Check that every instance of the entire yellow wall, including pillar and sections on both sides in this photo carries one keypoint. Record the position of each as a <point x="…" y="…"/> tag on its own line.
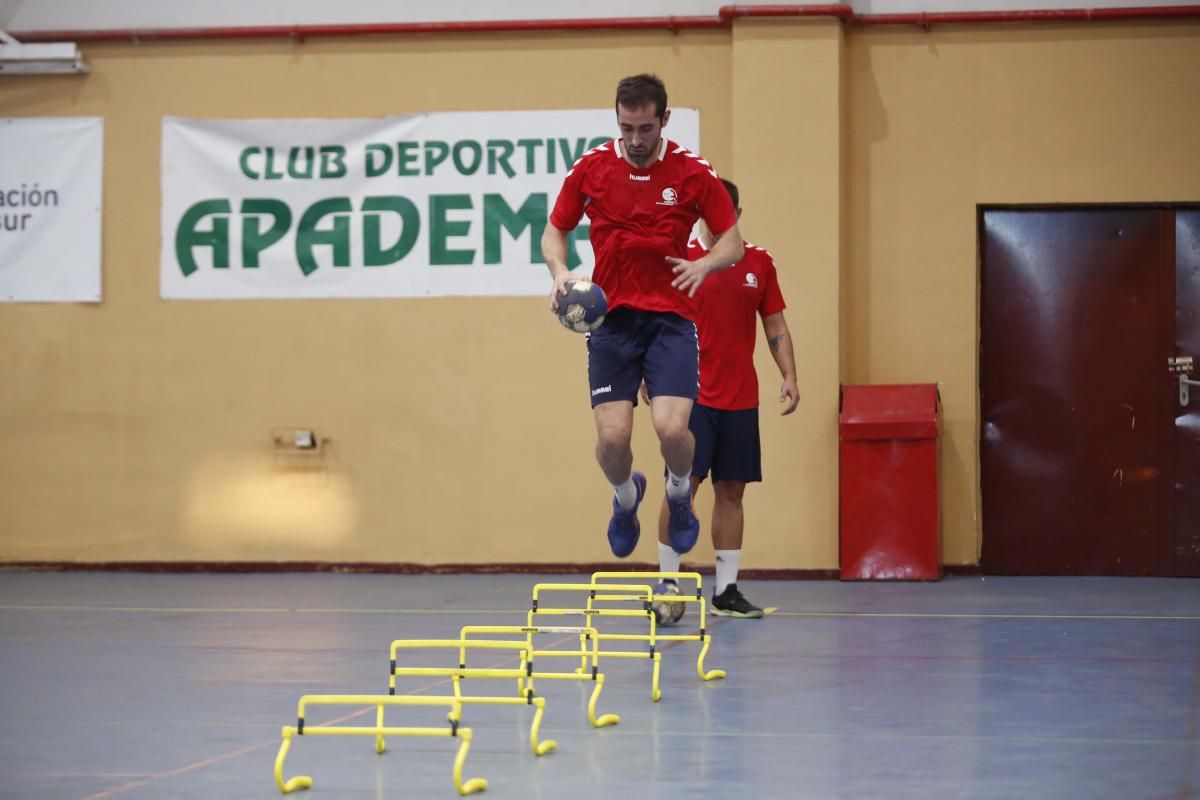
<point x="140" y="429"/>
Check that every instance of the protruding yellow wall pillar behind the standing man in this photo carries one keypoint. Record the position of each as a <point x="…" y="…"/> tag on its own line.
<point x="787" y="145"/>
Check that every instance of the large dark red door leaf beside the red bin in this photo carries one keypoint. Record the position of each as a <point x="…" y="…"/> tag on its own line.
<point x="1077" y="447"/>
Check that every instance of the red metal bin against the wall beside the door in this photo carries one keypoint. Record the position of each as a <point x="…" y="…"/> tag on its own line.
<point x="890" y="510"/>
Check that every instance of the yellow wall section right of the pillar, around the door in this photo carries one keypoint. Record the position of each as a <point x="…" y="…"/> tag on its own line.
<point x="943" y="122"/>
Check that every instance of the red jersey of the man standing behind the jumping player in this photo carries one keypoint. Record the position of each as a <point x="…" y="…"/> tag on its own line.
<point x="728" y="304"/>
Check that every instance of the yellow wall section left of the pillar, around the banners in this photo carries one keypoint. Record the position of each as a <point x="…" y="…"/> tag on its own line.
<point x="461" y="432"/>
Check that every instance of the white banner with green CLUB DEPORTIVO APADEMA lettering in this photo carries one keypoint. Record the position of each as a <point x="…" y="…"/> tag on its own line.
<point x="424" y="206"/>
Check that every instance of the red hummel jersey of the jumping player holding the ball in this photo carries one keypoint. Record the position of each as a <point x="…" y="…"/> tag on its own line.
<point x="641" y="216"/>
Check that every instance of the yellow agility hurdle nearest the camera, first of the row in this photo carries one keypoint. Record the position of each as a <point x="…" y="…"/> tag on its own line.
<point x="455" y="731"/>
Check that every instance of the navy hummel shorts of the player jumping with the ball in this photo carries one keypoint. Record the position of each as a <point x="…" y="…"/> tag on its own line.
<point x="657" y="346"/>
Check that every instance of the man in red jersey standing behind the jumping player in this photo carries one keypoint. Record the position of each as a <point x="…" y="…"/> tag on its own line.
<point x="725" y="419"/>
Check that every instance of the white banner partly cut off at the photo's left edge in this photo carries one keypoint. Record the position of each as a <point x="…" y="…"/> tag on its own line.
<point x="51" y="209"/>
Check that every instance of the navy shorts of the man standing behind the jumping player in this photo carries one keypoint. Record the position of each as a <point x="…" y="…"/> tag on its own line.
<point x="727" y="443"/>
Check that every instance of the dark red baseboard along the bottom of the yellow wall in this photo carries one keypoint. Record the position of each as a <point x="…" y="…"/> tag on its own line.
<point x="389" y="568"/>
